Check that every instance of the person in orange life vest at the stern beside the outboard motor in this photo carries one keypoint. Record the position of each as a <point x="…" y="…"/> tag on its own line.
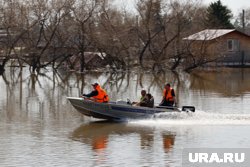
<point x="168" y="96"/>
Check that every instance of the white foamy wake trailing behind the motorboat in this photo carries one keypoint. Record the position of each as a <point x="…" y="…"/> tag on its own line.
<point x="197" y="118"/>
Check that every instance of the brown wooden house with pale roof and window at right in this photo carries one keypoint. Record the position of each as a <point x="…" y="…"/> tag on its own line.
<point x="228" y="47"/>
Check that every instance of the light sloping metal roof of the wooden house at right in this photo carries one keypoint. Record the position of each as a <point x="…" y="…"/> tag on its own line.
<point x="209" y="34"/>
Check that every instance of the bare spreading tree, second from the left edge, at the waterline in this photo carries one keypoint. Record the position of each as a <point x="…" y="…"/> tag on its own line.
<point x="42" y="38"/>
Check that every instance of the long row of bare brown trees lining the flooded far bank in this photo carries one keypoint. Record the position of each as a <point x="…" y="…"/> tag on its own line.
<point x="39" y="33"/>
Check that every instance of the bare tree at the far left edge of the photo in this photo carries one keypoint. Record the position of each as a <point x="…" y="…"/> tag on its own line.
<point x="10" y="13"/>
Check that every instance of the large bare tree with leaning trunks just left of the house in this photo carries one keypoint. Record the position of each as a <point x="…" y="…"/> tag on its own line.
<point x="162" y="27"/>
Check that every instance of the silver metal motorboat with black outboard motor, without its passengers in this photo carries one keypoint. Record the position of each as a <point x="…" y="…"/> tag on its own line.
<point x="120" y="110"/>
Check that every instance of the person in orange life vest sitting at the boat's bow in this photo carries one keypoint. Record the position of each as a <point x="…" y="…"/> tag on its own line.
<point x="98" y="94"/>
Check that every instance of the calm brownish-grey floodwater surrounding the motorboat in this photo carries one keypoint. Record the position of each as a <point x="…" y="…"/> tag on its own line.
<point x="39" y="127"/>
